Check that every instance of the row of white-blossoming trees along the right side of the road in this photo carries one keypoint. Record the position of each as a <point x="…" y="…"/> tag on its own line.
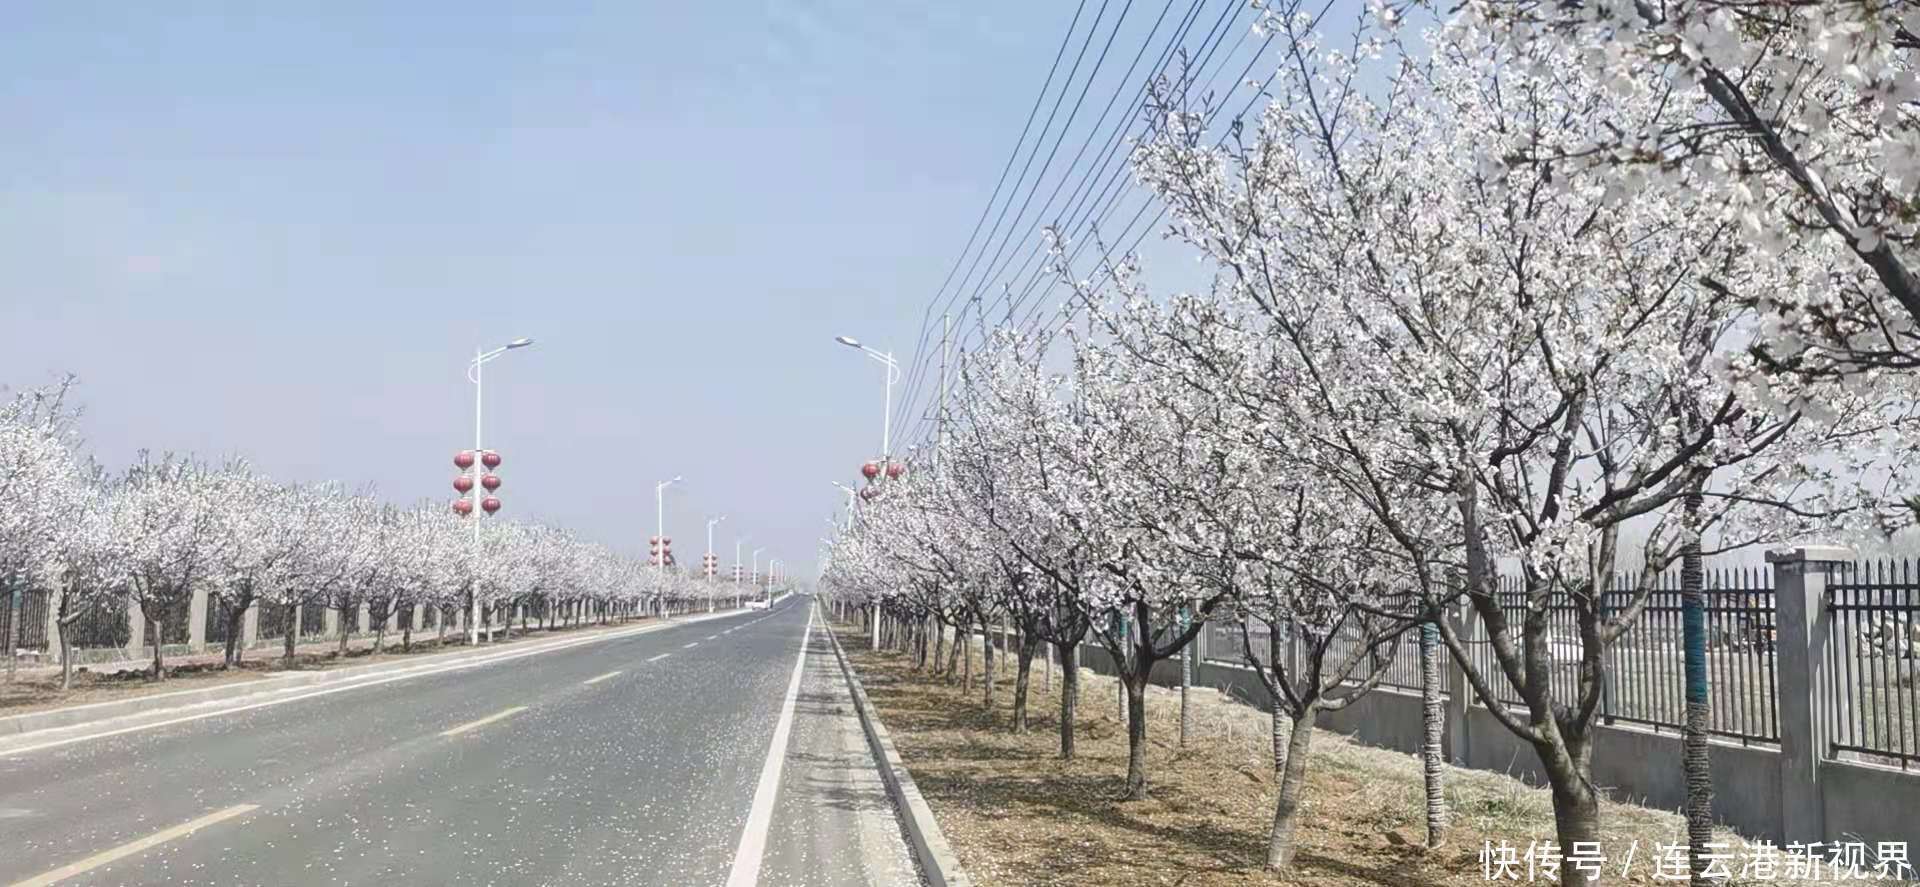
<point x="1548" y="291"/>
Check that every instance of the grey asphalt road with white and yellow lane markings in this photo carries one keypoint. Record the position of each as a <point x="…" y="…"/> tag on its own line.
<point x="631" y="761"/>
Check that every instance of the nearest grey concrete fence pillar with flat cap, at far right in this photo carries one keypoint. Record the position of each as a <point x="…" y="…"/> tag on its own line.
<point x="1800" y="658"/>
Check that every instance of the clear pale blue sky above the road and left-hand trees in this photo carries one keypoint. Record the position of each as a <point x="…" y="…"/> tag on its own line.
<point x="283" y="233"/>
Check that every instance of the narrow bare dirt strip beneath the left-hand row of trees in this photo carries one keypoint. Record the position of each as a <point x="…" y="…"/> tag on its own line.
<point x="39" y="690"/>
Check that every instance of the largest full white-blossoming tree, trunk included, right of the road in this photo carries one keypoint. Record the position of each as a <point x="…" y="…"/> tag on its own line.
<point x="1512" y="347"/>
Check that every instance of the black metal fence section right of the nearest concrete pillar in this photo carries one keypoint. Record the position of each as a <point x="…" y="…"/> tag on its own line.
<point x="1871" y="702"/>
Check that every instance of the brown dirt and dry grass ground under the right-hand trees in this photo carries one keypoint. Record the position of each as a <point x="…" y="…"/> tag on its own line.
<point x="1019" y="815"/>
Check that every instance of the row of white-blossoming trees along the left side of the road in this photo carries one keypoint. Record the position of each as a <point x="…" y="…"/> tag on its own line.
<point x="166" y="527"/>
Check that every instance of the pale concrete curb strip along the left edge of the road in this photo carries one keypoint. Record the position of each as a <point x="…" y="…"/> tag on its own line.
<point x="243" y="692"/>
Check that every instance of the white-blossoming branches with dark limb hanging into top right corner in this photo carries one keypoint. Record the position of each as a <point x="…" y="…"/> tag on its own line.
<point x="1798" y="118"/>
